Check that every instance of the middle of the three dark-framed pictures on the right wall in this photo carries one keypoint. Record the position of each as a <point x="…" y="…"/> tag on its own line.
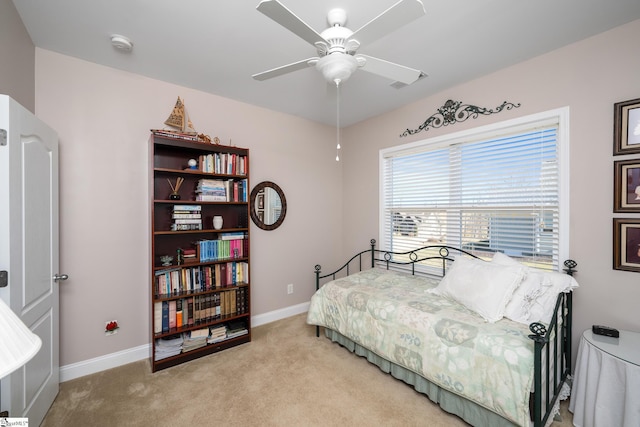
<point x="626" y="186"/>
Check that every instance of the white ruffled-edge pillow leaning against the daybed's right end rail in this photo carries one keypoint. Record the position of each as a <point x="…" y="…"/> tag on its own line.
<point x="535" y="299"/>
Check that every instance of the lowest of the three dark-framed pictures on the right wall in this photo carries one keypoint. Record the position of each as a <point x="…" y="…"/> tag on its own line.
<point x="626" y="244"/>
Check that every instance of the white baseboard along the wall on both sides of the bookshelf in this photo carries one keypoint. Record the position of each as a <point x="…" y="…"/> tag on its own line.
<point x="113" y="360"/>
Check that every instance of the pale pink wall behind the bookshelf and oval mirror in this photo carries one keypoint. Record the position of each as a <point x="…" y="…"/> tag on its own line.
<point x="103" y="117"/>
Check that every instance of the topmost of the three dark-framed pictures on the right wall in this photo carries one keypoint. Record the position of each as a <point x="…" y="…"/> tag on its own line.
<point x="626" y="127"/>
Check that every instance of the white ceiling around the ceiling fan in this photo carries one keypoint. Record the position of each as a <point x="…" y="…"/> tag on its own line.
<point x="216" y="45"/>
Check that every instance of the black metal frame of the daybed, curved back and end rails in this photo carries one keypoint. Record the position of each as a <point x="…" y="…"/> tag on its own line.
<point x="558" y="332"/>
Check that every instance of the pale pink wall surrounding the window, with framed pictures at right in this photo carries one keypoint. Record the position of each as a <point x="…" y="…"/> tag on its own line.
<point x="589" y="77"/>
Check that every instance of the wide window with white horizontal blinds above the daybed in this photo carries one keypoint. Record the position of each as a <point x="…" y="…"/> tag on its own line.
<point x="497" y="188"/>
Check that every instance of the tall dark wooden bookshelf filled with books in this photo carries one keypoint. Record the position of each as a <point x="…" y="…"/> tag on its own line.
<point x="199" y="281"/>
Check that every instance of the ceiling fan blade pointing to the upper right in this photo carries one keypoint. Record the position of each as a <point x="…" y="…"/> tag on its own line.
<point x="391" y="19"/>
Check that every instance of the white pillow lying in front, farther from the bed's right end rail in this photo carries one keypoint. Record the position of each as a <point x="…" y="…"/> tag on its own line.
<point x="481" y="286"/>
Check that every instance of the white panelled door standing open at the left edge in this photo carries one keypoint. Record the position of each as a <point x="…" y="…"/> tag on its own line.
<point x="29" y="253"/>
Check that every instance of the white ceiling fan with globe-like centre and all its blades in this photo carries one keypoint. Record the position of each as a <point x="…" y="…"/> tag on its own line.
<point x="337" y="45"/>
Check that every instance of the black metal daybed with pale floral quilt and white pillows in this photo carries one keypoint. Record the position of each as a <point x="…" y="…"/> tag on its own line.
<point x="456" y="327"/>
